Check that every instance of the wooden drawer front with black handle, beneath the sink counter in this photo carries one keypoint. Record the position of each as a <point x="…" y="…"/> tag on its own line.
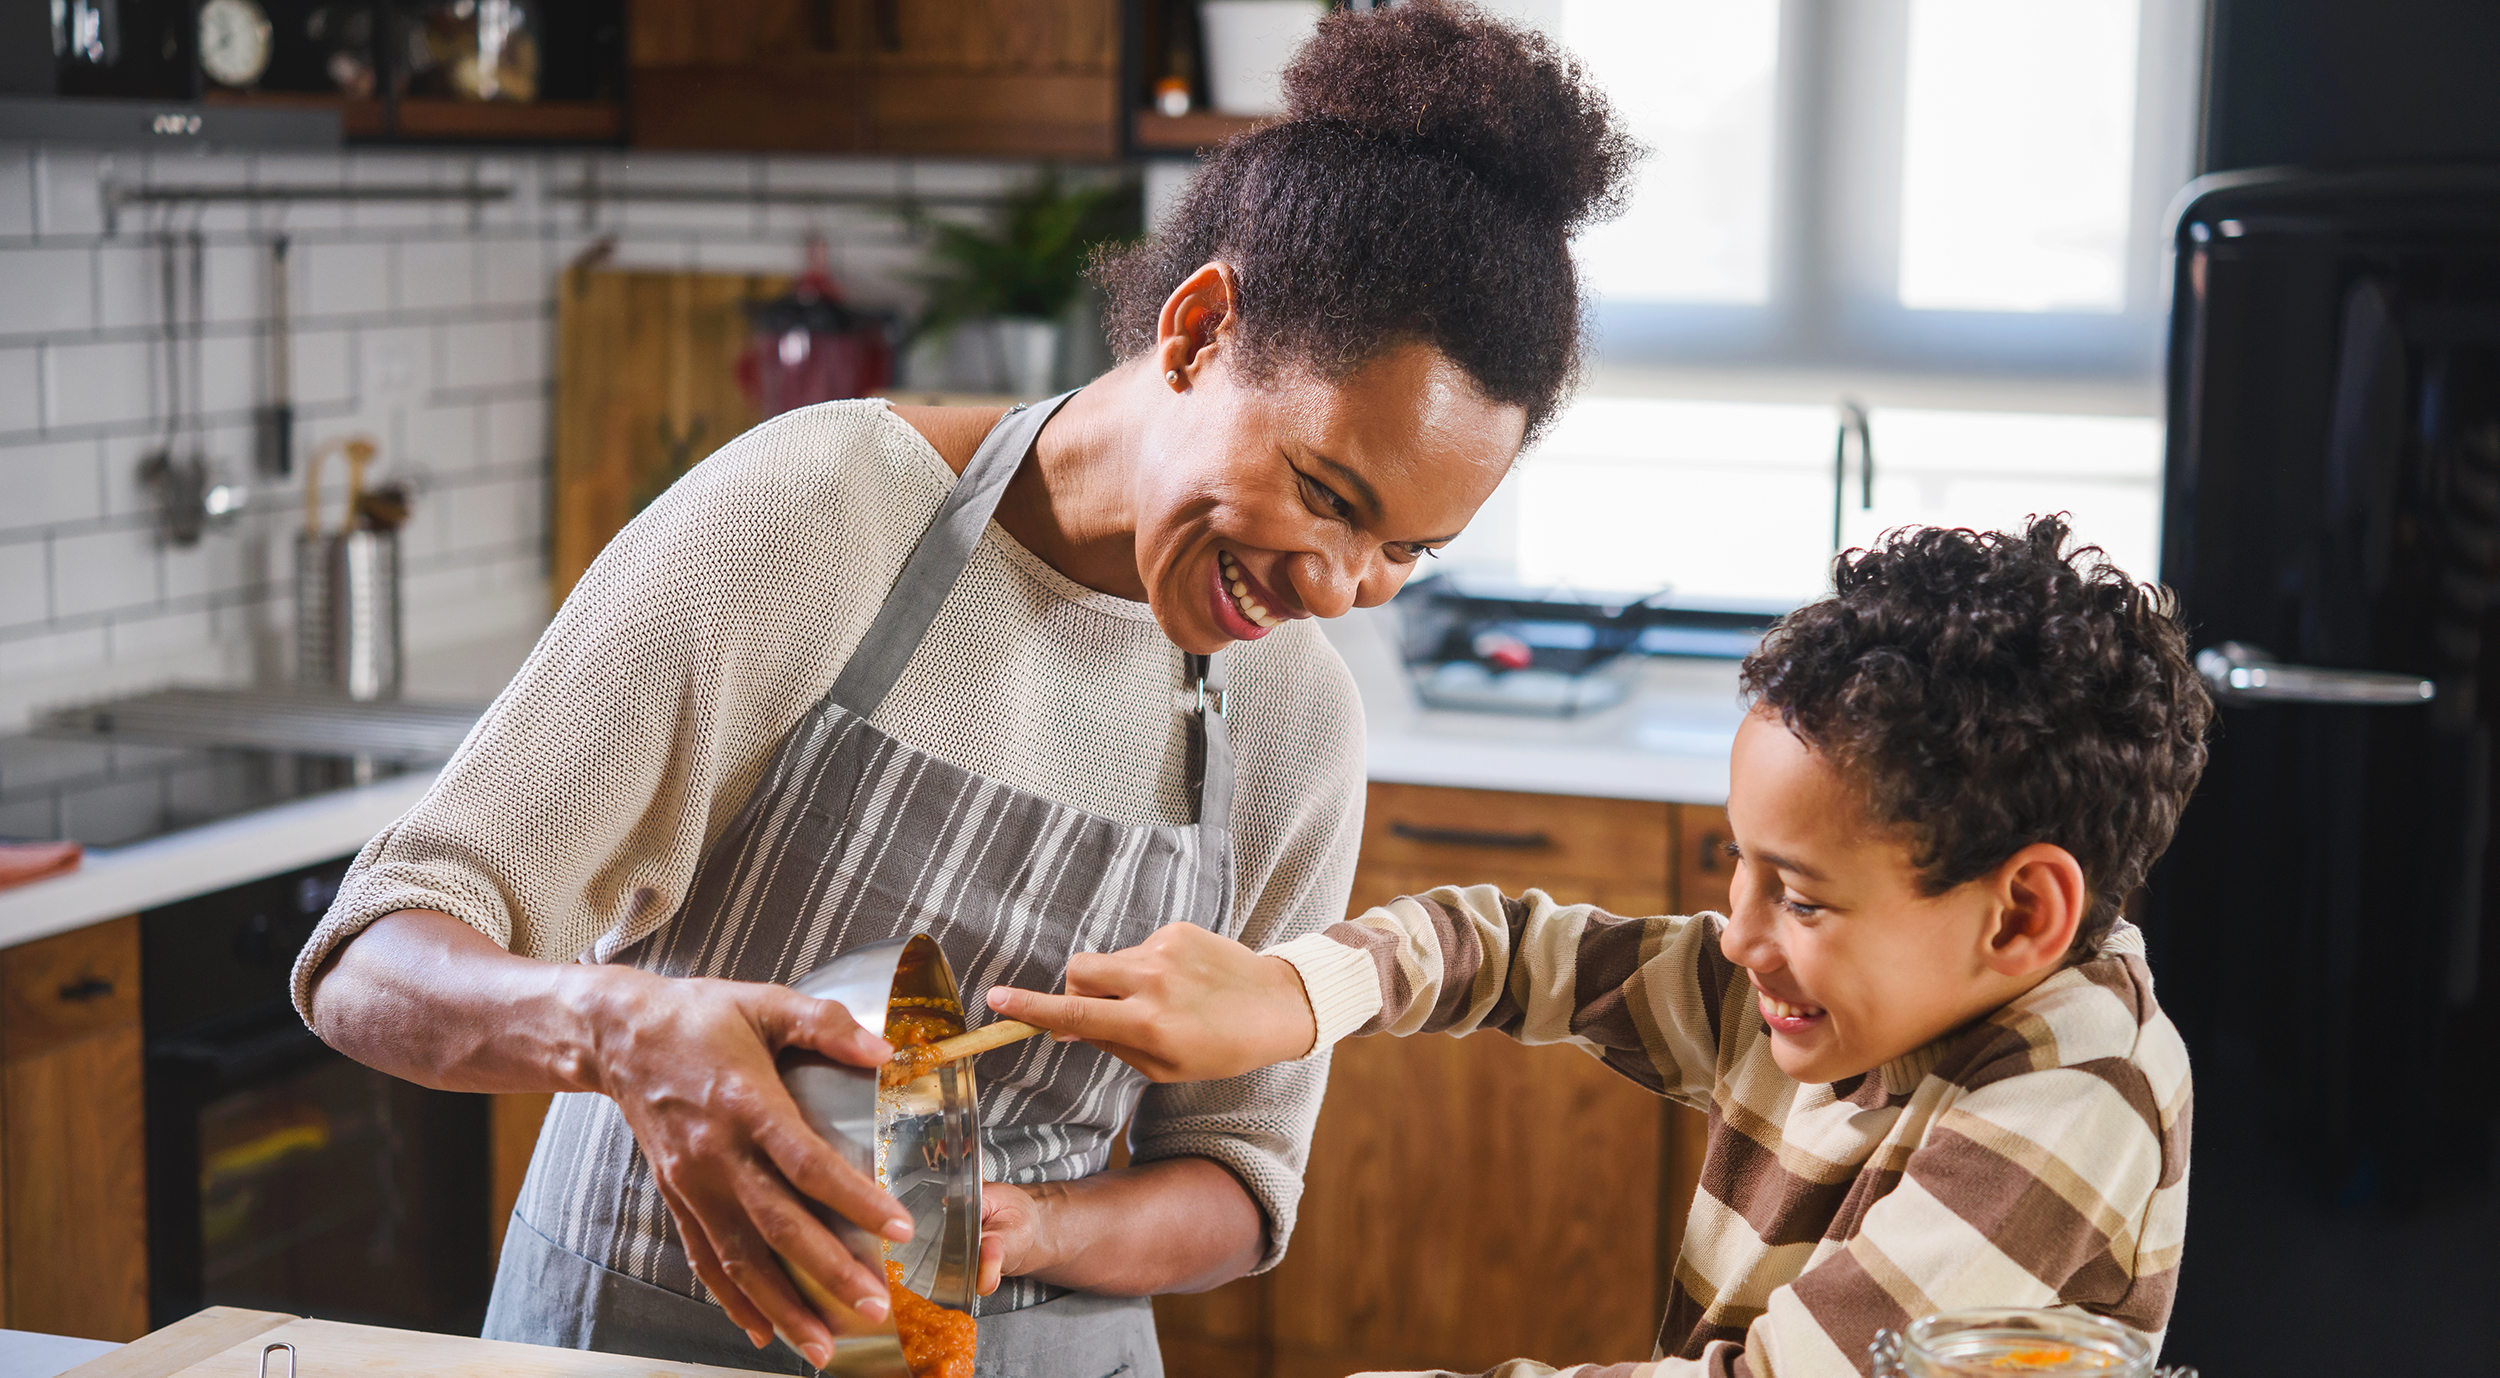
<point x="1466" y="837"/>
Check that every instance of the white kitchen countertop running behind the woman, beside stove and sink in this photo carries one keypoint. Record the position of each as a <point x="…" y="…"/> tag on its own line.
<point x="1669" y="742"/>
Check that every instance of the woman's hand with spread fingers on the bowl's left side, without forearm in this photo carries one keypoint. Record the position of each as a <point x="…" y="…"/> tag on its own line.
<point x="691" y="1064"/>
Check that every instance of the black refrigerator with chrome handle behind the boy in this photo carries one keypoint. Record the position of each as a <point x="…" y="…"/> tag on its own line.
<point x="2324" y="927"/>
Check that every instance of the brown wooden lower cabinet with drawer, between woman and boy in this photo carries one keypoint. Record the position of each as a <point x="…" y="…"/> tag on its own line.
<point x="1474" y="1199"/>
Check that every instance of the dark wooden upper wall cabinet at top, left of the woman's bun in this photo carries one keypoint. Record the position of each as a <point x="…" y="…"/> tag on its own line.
<point x="1001" y="79"/>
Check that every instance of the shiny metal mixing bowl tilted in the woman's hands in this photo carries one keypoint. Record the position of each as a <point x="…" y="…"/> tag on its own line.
<point x="931" y="1132"/>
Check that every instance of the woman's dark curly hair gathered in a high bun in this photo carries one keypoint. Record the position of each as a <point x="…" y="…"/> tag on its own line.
<point x="1421" y="189"/>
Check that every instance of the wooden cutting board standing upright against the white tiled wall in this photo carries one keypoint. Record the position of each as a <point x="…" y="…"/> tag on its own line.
<point x="646" y="384"/>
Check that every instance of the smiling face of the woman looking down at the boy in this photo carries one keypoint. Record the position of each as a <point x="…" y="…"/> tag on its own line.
<point x="1266" y="501"/>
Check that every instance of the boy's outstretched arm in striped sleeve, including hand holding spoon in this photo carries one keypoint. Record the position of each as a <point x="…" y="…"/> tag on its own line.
<point x="1641" y="994"/>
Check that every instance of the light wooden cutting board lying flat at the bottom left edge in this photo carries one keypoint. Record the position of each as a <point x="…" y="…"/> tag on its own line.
<point x="226" y="1344"/>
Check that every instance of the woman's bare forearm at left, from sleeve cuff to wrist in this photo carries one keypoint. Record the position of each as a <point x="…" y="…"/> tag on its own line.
<point x="434" y="1002"/>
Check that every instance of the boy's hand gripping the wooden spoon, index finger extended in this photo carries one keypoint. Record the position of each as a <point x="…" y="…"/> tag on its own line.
<point x="1181" y="1007"/>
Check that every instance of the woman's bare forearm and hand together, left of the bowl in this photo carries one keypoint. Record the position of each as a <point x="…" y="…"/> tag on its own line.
<point x="429" y="999"/>
